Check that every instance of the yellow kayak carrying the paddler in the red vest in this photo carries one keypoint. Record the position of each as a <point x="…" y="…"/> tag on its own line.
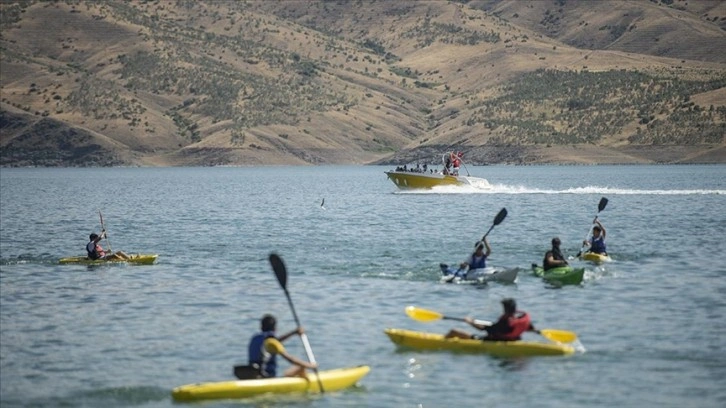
<point x="432" y="341"/>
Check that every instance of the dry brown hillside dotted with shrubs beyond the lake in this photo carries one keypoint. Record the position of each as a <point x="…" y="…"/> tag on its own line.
<point x="167" y="83"/>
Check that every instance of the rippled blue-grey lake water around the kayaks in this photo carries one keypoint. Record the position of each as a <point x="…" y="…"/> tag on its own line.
<point x="653" y="322"/>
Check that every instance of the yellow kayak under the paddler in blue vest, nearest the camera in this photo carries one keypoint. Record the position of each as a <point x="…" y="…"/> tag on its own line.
<point x="333" y="380"/>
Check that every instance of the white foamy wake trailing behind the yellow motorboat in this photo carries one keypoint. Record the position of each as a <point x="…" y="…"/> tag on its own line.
<point x="482" y="186"/>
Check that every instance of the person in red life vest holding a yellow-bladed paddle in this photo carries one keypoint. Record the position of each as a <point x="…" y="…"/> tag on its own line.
<point x="510" y="326"/>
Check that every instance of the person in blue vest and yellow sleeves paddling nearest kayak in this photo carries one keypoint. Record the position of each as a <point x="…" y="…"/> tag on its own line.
<point x="264" y="347"/>
